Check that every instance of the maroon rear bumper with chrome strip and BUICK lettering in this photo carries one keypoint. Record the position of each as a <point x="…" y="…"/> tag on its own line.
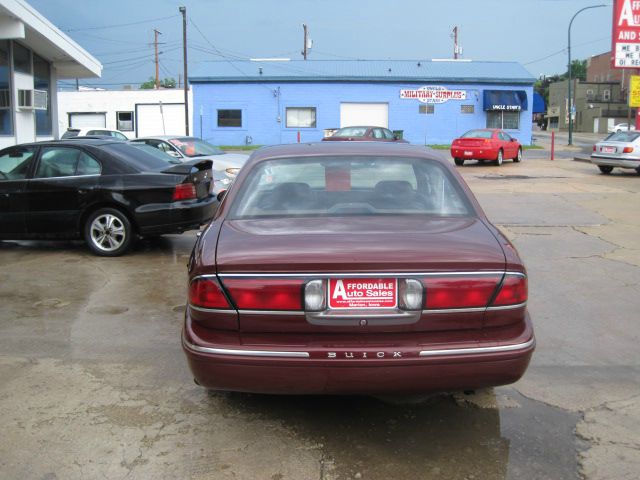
<point x="331" y="367"/>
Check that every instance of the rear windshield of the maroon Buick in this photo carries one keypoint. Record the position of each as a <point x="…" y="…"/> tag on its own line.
<point x="354" y="185"/>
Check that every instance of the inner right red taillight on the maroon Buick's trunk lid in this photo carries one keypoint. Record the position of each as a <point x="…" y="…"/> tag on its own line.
<point x="463" y="292"/>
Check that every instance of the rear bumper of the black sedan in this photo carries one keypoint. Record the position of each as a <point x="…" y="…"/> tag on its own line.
<point x="175" y="217"/>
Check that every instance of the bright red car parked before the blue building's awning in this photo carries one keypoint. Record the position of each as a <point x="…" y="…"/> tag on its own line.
<point x="485" y="144"/>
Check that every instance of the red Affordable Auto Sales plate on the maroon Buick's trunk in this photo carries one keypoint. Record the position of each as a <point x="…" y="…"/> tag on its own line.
<point x="363" y="293"/>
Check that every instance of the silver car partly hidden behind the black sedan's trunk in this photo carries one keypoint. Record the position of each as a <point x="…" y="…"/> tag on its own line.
<point x="187" y="148"/>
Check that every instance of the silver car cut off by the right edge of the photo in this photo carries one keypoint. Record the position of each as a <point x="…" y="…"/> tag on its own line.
<point x="621" y="149"/>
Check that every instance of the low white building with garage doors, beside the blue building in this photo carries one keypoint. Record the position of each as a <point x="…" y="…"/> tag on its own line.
<point x="136" y="113"/>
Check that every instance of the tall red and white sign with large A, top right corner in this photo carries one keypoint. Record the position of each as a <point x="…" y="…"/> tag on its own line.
<point x="626" y="34"/>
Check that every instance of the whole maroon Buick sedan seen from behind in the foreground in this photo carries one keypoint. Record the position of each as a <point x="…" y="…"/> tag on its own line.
<point x="354" y="268"/>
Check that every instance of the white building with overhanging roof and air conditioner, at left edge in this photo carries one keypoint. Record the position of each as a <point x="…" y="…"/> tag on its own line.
<point x="34" y="54"/>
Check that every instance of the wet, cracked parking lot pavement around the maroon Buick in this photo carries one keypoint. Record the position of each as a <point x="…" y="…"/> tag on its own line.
<point x="93" y="382"/>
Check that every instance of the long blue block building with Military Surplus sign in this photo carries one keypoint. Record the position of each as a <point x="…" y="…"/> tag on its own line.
<point x="272" y="101"/>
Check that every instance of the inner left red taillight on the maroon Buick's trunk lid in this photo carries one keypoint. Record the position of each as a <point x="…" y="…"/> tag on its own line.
<point x="265" y="294"/>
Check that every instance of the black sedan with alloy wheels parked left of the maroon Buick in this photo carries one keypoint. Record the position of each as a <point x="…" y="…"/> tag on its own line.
<point x="104" y="191"/>
